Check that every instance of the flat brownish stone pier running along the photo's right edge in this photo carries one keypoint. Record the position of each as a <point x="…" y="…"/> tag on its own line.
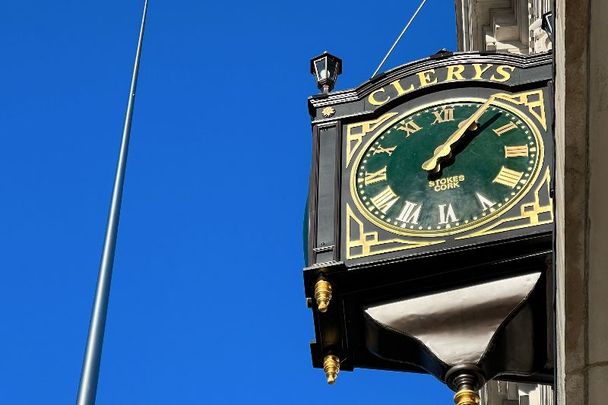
<point x="581" y="129"/>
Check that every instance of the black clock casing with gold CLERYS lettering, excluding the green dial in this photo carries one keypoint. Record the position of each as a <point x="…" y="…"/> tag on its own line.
<point x="368" y="262"/>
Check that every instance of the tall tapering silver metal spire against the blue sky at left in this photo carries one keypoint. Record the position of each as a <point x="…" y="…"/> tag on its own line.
<point x="90" y="369"/>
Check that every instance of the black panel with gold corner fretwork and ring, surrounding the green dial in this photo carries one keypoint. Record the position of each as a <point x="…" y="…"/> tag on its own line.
<point x="366" y="237"/>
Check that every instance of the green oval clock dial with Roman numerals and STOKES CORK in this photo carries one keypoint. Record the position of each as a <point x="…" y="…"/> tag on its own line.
<point x="489" y="168"/>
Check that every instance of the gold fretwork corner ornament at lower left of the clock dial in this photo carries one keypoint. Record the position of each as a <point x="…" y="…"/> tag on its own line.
<point x="364" y="244"/>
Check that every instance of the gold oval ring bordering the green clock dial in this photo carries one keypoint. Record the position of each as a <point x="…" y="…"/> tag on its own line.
<point x="539" y="164"/>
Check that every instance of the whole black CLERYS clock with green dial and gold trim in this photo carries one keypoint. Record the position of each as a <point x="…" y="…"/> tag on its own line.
<point x="429" y="180"/>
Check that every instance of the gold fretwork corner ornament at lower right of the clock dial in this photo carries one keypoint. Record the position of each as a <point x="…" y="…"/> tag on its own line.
<point x="537" y="212"/>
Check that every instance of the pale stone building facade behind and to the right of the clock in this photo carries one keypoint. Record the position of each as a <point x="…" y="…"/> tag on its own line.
<point x="581" y="197"/>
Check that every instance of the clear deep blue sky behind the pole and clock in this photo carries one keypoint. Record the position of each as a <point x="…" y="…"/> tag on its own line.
<point x="207" y="302"/>
